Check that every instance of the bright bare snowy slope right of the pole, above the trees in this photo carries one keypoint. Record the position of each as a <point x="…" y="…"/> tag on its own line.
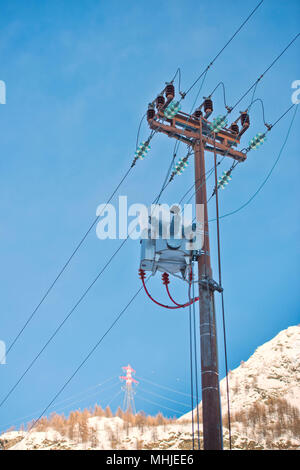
<point x="273" y="371"/>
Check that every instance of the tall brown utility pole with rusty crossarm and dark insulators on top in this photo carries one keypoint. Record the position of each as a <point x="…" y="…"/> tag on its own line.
<point x="195" y="131"/>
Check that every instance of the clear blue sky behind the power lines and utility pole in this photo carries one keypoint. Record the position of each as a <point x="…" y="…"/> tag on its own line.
<point x="79" y="76"/>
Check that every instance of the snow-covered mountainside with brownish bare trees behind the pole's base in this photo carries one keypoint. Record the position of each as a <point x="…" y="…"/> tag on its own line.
<point x="264" y="403"/>
